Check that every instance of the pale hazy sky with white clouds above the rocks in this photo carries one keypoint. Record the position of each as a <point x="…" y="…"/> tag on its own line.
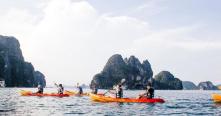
<point x="71" y="40"/>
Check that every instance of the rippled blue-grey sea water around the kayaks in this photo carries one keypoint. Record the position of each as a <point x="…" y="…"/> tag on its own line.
<point x="177" y="103"/>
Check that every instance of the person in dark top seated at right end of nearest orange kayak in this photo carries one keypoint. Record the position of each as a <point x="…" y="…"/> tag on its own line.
<point x="149" y="92"/>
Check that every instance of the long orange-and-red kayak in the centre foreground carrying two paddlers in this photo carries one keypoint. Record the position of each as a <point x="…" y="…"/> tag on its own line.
<point x="102" y="98"/>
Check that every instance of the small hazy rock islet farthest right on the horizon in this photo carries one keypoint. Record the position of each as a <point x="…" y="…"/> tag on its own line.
<point x="207" y="86"/>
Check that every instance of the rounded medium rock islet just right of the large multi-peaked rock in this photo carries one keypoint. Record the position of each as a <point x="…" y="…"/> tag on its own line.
<point x="166" y="81"/>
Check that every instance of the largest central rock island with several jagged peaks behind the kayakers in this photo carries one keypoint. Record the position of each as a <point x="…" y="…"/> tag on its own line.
<point x="136" y="74"/>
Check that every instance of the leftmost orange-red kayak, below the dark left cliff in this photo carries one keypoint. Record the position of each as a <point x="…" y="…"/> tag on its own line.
<point x="29" y="93"/>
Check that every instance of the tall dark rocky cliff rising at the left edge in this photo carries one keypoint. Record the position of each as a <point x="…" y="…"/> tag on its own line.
<point x="13" y="69"/>
